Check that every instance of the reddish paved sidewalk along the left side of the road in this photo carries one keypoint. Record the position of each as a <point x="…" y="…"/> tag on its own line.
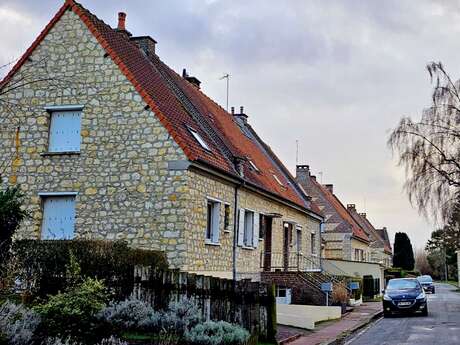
<point x="352" y="321"/>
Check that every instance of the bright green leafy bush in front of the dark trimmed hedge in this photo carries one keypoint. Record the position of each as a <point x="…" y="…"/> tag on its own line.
<point x="73" y="314"/>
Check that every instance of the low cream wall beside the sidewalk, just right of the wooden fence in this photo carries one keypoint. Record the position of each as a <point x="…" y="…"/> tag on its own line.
<point x="305" y="316"/>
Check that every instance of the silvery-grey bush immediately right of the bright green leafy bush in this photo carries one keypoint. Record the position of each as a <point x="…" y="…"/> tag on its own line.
<point x="131" y="315"/>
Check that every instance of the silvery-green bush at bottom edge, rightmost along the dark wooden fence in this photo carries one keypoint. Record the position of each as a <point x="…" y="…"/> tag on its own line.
<point x="217" y="333"/>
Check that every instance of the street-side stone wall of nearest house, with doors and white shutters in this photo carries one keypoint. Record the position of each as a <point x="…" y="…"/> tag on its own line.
<point x="216" y="259"/>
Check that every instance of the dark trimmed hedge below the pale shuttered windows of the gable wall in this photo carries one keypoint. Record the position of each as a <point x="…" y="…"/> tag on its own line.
<point x="44" y="265"/>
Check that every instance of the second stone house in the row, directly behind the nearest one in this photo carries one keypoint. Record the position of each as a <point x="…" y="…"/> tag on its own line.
<point x="343" y="237"/>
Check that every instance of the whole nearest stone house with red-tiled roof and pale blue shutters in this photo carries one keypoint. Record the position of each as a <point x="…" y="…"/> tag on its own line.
<point x="108" y="142"/>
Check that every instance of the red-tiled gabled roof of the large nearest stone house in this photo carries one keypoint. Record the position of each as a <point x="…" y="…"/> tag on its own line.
<point x="180" y="107"/>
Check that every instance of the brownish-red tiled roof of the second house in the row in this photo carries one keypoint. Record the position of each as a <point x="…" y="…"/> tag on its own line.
<point x="333" y="209"/>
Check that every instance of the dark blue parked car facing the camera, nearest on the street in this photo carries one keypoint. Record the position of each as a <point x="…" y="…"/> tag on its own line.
<point x="404" y="295"/>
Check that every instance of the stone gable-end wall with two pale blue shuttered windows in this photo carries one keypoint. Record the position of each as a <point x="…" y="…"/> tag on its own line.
<point x="121" y="177"/>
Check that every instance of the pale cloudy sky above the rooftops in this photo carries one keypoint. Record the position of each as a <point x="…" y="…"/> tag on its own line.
<point x="334" y="75"/>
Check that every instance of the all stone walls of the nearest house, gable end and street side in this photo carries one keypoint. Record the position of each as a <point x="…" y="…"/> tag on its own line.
<point x="130" y="178"/>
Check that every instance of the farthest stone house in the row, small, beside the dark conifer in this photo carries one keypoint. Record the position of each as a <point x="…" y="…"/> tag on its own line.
<point x="380" y="247"/>
